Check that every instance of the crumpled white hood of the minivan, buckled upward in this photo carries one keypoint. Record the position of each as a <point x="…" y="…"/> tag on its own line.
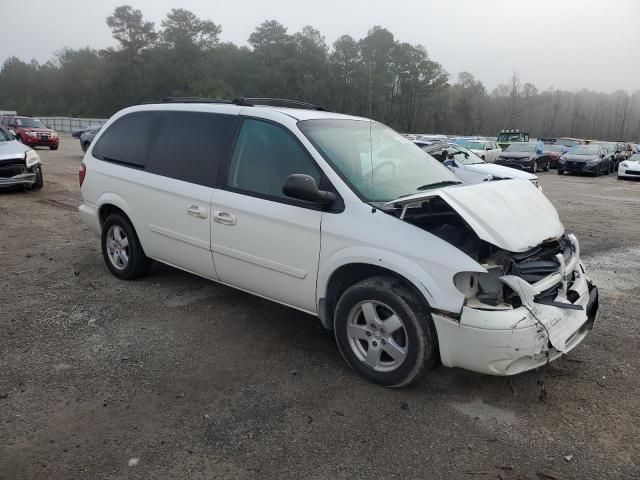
<point x="511" y="214"/>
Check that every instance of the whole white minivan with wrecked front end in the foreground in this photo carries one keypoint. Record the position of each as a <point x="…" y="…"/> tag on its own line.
<point x="342" y="218"/>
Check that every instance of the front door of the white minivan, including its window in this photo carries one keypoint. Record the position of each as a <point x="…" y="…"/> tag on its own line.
<point x="263" y="241"/>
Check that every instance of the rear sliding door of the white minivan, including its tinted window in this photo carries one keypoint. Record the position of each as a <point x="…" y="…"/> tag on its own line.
<point x="183" y="162"/>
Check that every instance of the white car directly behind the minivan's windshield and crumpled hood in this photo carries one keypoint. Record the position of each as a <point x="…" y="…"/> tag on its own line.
<point x="469" y="167"/>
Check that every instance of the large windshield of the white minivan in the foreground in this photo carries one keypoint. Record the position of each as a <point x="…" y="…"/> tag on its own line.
<point x="377" y="162"/>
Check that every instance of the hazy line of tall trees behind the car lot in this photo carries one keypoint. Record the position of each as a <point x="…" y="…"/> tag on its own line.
<point x="377" y="76"/>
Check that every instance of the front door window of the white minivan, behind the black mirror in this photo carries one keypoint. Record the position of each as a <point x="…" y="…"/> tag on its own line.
<point x="264" y="156"/>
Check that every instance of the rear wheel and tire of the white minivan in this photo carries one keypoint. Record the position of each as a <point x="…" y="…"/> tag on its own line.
<point x="130" y="262"/>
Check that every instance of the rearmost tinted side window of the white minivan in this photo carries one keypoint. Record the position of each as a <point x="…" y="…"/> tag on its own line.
<point x="126" y="141"/>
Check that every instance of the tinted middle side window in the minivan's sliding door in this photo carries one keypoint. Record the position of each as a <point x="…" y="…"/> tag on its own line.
<point x="189" y="146"/>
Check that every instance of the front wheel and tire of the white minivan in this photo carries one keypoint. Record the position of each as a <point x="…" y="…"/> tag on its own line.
<point x="413" y="343"/>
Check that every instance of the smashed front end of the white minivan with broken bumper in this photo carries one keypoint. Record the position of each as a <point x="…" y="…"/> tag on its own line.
<point x="529" y="306"/>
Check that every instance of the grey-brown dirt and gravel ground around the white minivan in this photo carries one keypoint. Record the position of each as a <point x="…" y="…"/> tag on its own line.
<point x="176" y="377"/>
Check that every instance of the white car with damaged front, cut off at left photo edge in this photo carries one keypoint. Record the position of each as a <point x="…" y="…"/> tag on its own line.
<point x="19" y="165"/>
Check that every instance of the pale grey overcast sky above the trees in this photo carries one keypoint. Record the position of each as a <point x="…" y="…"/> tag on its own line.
<point x="568" y="44"/>
